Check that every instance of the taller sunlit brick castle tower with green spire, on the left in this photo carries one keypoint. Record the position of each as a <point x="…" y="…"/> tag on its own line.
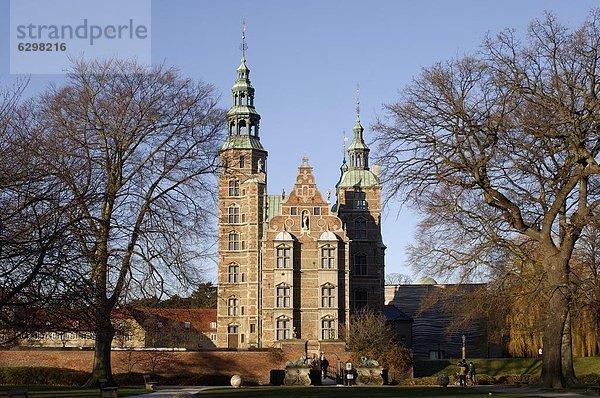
<point x="242" y="189"/>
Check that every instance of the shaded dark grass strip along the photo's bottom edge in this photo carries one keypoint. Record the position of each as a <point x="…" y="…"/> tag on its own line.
<point x="346" y="392"/>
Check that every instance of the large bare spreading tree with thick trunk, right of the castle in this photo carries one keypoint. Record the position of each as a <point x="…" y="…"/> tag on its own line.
<point x="505" y="143"/>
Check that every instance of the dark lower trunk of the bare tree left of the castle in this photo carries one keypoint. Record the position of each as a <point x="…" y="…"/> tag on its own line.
<point x="105" y="332"/>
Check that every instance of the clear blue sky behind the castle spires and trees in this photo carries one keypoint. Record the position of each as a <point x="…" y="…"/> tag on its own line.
<point x="306" y="58"/>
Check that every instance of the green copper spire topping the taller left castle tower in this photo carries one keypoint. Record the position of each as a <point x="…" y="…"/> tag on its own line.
<point x="242" y="118"/>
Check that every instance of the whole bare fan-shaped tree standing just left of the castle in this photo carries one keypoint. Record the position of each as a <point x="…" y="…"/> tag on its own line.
<point x="133" y="150"/>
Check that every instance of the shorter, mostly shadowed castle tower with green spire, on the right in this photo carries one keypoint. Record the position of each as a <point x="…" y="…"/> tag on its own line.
<point x="359" y="206"/>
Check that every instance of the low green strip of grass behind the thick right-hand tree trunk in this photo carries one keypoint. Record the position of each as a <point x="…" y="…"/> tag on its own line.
<point x="502" y="366"/>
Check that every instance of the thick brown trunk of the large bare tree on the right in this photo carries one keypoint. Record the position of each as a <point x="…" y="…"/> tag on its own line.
<point x="557" y="310"/>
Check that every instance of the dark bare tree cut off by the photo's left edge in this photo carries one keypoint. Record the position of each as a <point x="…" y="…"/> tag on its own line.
<point x="34" y="245"/>
